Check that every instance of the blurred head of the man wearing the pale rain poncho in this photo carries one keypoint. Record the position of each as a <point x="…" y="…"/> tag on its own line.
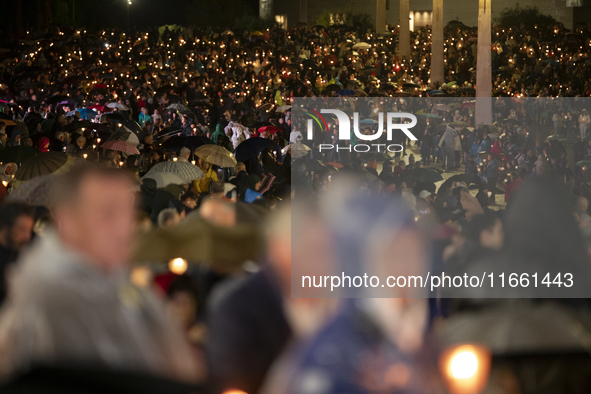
<point x="94" y="212"/>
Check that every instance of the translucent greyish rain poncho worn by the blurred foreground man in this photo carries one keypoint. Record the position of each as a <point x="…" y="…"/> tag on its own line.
<point x="63" y="309"/>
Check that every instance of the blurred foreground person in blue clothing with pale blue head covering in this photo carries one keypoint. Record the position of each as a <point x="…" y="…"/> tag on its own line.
<point x="372" y="344"/>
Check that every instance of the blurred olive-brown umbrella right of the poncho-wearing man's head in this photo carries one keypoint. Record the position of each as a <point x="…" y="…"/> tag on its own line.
<point x="196" y="240"/>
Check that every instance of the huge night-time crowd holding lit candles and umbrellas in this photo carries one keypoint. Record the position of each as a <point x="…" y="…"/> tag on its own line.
<point x="190" y="143"/>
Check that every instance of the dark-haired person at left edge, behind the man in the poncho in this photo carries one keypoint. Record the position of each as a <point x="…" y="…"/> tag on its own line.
<point x="16" y="228"/>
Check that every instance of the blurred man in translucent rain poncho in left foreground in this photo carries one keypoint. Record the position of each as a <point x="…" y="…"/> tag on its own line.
<point x="70" y="301"/>
